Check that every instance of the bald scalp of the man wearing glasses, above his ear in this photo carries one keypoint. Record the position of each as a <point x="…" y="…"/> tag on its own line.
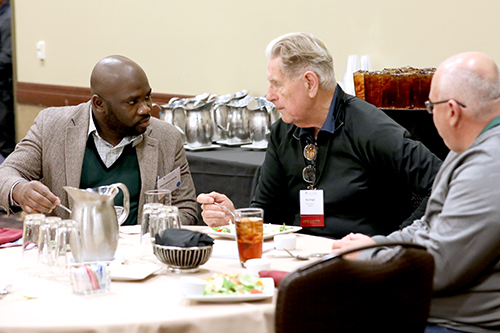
<point x="471" y="78"/>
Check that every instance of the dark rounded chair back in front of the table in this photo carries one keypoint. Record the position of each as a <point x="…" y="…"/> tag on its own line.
<point x="391" y="293"/>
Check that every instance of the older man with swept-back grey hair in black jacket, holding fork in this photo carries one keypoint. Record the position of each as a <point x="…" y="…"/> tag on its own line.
<point x="335" y="164"/>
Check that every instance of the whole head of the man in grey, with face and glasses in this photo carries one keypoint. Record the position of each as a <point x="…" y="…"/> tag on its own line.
<point x="467" y="86"/>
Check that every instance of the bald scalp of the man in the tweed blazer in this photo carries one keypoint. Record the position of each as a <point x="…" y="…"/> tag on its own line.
<point x="112" y="72"/>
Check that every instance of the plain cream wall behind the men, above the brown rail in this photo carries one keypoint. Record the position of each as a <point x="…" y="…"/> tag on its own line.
<point x="194" y="46"/>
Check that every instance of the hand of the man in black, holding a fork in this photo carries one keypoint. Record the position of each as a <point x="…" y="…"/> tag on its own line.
<point x="212" y="214"/>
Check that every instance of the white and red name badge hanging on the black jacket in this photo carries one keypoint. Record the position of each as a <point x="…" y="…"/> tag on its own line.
<point x="312" y="208"/>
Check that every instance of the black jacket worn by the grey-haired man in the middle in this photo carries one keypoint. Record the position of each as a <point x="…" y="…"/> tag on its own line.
<point x="369" y="169"/>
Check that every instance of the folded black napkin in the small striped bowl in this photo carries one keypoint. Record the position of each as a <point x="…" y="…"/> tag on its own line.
<point x="183" y="238"/>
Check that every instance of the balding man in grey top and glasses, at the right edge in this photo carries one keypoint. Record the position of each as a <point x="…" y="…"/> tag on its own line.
<point x="461" y="225"/>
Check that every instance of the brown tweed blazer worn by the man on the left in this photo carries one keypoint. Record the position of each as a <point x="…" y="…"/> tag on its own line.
<point x="53" y="150"/>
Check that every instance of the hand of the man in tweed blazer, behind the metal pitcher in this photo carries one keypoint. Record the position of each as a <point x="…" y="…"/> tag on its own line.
<point x="34" y="197"/>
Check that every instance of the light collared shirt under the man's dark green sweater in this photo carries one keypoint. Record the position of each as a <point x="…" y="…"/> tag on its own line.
<point x="107" y="152"/>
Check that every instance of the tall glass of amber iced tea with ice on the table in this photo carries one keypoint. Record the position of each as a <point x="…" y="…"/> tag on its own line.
<point x="249" y="233"/>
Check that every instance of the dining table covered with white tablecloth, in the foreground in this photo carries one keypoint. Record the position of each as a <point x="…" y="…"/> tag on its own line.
<point x="149" y="302"/>
